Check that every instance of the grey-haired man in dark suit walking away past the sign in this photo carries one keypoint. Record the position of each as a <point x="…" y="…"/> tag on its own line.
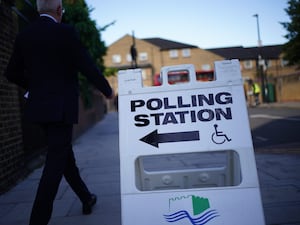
<point x="46" y="59"/>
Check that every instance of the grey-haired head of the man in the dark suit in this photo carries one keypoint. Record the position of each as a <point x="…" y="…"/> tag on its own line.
<point x="52" y="7"/>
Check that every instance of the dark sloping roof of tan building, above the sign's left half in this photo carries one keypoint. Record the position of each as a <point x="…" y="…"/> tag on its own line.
<point x="165" y="44"/>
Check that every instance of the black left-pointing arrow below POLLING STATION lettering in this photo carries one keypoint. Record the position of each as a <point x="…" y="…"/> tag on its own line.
<point x="154" y="138"/>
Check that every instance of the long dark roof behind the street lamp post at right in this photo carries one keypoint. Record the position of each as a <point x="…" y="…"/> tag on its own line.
<point x="239" y="52"/>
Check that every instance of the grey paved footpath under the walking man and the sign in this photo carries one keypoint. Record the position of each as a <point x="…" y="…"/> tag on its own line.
<point x="98" y="159"/>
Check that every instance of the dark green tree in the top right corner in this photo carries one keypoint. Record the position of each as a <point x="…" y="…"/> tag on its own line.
<point x="291" y="49"/>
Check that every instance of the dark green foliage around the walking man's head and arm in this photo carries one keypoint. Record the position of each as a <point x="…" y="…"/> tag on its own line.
<point x="77" y="14"/>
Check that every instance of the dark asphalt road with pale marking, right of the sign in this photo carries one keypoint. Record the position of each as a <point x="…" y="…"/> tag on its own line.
<point x="275" y="129"/>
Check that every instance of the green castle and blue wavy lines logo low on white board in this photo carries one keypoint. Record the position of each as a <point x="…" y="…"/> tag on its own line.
<point x="199" y="212"/>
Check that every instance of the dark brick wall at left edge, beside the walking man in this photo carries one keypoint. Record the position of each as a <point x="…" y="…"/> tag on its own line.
<point x="11" y="144"/>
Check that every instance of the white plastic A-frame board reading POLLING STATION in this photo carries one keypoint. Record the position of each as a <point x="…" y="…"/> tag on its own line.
<point x="186" y="153"/>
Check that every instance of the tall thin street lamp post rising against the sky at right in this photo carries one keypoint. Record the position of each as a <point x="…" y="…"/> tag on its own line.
<point x="260" y="61"/>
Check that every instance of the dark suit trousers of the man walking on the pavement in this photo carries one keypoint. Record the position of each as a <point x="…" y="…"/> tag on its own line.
<point x="60" y="162"/>
